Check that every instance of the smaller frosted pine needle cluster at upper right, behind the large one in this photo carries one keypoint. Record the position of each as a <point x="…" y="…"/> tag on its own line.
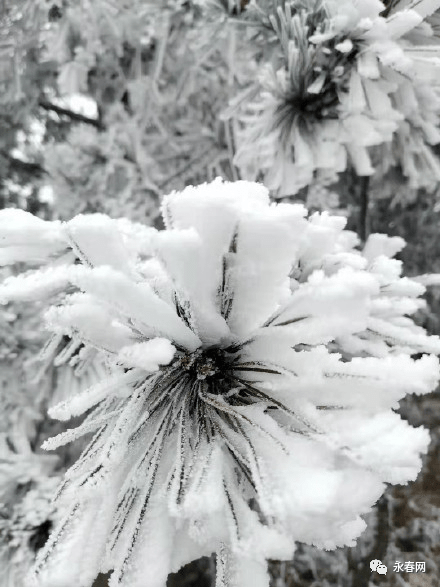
<point x="348" y="77"/>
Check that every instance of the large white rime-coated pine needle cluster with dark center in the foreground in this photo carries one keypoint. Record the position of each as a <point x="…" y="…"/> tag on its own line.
<point x="225" y="423"/>
